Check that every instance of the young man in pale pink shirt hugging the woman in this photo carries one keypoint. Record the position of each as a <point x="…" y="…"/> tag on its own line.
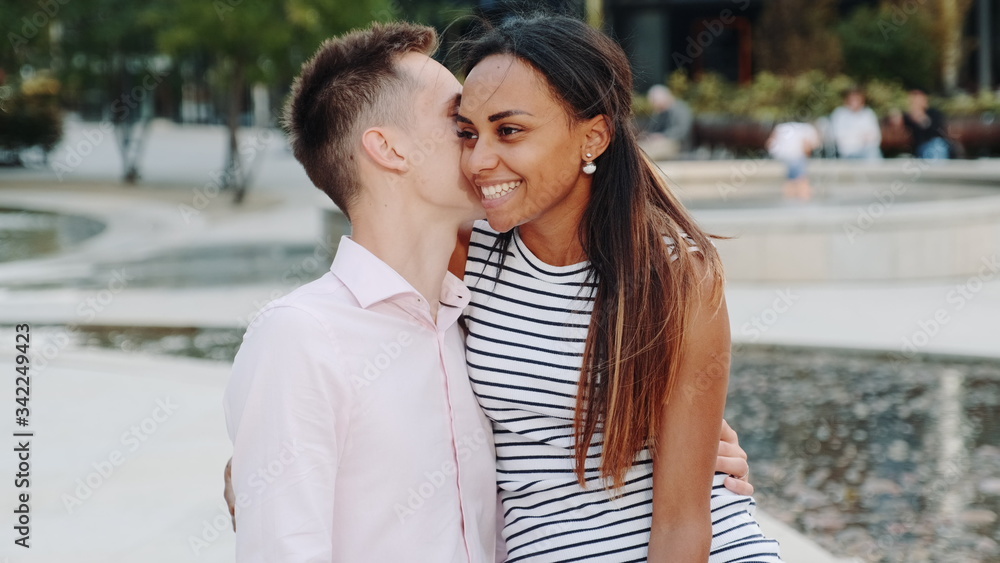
<point x="356" y="434"/>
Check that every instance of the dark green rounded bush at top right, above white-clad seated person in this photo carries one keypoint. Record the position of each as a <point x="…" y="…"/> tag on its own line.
<point x="888" y="44"/>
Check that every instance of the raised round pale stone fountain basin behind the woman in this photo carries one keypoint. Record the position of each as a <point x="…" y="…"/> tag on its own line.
<point x="891" y="220"/>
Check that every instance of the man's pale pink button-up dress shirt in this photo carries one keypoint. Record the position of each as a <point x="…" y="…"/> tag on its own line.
<point x="355" y="432"/>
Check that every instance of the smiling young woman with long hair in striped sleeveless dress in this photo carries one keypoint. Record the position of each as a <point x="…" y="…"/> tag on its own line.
<point x="598" y="338"/>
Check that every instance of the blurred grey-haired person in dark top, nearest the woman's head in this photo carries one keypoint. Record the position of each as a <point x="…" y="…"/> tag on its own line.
<point x="668" y="133"/>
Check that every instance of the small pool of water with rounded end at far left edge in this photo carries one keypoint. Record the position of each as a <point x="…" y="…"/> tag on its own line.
<point x="30" y="234"/>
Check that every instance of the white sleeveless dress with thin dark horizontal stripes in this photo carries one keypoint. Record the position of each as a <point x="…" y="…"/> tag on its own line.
<point x="526" y="335"/>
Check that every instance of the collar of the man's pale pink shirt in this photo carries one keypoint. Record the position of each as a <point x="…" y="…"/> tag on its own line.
<point x="371" y="280"/>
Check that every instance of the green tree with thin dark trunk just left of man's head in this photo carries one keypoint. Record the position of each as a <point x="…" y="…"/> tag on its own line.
<point x="248" y="42"/>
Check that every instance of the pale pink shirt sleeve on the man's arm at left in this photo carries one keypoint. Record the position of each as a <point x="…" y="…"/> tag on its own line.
<point x="287" y="407"/>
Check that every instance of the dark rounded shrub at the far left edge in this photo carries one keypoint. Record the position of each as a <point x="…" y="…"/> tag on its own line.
<point x="30" y="115"/>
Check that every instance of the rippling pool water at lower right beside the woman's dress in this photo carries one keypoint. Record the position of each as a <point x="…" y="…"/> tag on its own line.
<point x="874" y="456"/>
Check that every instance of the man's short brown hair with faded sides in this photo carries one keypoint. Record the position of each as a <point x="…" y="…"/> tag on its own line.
<point x="350" y="84"/>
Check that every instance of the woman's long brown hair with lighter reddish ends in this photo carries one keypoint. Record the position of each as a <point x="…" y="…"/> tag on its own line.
<point x="644" y="288"/>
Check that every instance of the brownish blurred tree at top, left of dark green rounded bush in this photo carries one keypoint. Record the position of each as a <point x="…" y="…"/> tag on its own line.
<point x="795" y="36"/>
